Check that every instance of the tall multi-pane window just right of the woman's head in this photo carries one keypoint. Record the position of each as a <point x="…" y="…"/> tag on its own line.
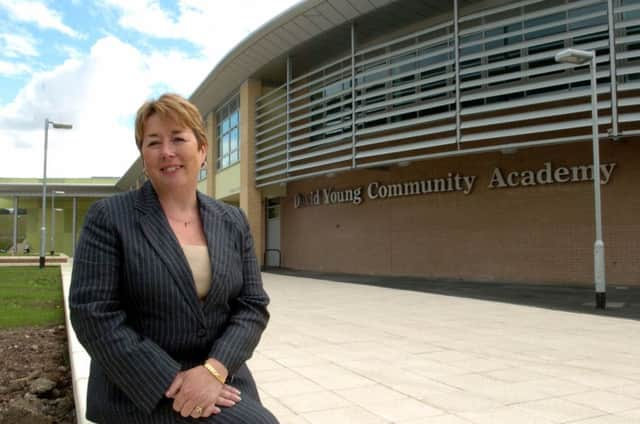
<point x="228" y="133"/>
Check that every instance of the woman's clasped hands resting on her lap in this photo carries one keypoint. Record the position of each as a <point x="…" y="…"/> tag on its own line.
<point x="197" y="394"/>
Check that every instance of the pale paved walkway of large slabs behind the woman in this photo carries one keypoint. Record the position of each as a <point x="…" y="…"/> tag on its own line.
<point x="339" y="353"/>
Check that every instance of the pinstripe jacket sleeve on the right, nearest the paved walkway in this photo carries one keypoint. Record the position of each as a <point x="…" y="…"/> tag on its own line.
<point x="249" y="315"/>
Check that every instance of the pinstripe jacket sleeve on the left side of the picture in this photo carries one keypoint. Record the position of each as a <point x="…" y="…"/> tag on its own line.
<point x="136" y="365"/>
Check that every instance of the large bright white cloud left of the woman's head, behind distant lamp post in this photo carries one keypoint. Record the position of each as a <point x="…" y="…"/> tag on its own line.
<point x="99" y="94"/>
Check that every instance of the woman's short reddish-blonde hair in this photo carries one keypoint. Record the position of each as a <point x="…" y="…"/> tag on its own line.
<point x="172" y="106"/>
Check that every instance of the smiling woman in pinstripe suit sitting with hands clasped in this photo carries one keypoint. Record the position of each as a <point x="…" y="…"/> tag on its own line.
<point x="166" y="294"/>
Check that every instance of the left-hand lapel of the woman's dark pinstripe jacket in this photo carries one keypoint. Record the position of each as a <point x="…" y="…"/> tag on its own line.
<point x="156" y="229"/>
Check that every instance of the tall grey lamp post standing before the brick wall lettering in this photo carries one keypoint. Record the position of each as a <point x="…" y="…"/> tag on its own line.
<point x="581" y="57"/>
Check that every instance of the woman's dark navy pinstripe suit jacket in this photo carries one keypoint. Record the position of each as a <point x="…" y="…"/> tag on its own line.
<point x="134" y="307"/>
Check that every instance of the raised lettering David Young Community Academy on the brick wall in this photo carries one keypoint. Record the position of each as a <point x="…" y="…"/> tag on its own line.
<point x="454" y="182"/>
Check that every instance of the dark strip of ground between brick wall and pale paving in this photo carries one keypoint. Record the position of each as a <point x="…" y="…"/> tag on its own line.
<point x="622" y="301"/>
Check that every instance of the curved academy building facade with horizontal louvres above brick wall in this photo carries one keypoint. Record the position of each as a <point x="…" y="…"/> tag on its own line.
<point x="433" y="139"/>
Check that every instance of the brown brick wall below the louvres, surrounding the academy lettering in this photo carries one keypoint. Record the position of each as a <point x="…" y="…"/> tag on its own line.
<point x="524" y="234"/>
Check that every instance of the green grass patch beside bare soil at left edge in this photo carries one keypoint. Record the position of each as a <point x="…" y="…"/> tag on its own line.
<point x="30" y="296"/>
